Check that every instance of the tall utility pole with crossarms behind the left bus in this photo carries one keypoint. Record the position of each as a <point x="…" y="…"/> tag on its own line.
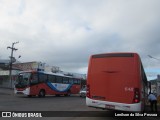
<point x="12" y="59"/>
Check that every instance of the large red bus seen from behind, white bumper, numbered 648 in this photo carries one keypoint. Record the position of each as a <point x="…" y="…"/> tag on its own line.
<point x="116" y="81"/>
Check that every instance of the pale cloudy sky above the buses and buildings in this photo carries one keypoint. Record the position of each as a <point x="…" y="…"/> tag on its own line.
<point x="65" y="33"/>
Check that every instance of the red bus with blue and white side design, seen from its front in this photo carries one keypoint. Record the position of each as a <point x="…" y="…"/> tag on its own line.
<point x="32" y="83"/>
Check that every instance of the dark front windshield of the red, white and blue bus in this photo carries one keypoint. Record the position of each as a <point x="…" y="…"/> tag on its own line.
<point x="23" y="79"/>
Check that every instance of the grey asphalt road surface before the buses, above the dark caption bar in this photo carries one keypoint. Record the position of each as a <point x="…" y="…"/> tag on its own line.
<point x="11" y="102"/>
